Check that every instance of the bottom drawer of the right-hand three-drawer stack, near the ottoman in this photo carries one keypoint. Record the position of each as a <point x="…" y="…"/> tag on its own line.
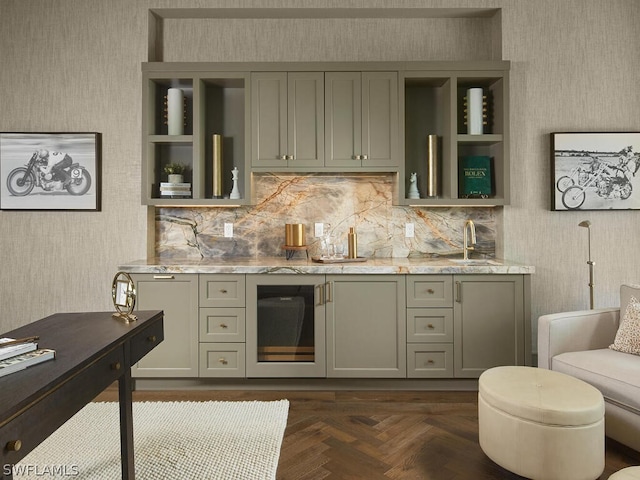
<point x="430" y="360"/>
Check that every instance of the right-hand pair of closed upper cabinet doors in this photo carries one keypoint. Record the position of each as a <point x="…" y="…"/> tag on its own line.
<point x="361" y="122"/>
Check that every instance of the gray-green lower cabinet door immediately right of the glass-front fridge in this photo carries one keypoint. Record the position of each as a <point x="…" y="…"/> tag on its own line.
<point x="366" y="335"/>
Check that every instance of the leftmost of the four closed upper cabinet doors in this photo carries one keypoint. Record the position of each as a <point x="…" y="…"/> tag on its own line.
<point x="269" y="119"/>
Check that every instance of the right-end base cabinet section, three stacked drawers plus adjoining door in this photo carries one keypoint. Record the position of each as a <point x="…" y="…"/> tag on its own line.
<point x="460" y="325"/>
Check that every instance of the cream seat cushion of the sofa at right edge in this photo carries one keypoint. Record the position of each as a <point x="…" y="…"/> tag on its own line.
<point x="615" y="374"/>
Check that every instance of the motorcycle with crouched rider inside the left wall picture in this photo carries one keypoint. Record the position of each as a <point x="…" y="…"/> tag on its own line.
<point x="22" y="180"/>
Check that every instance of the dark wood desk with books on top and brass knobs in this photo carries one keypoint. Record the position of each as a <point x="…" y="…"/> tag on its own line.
<point x="92" y="351"/>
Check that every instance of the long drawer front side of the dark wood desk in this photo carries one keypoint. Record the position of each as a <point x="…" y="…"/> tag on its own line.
<point x="66" y="400"/>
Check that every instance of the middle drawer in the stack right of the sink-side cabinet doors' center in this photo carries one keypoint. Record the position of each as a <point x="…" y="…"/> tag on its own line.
<point x="429" y="325"/>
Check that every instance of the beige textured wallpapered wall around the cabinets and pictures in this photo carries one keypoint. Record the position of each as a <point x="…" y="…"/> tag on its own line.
<point x="74" y="65"/>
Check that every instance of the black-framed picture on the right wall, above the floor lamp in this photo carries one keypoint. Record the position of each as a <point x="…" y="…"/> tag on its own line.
<point x="595" y="171"/>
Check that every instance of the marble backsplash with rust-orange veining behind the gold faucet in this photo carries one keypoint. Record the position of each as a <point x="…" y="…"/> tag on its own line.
<point x="340" y="201"/>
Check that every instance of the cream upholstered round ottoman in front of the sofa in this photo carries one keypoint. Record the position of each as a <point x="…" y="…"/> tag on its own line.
<point x="541" y="424"/>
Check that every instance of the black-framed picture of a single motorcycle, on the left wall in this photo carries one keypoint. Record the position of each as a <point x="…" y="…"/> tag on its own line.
<point x="50" y="171"/>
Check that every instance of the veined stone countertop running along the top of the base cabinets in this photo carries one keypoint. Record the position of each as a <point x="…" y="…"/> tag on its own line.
<point x="301" y="265"/>
